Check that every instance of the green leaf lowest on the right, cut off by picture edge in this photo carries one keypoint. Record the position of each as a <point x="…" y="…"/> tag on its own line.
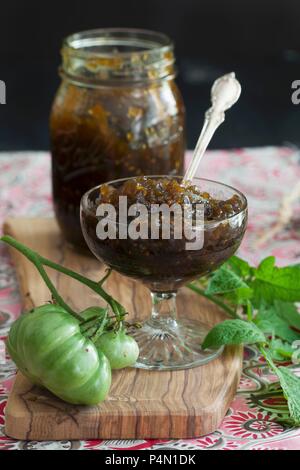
<point x="290" y="384"/>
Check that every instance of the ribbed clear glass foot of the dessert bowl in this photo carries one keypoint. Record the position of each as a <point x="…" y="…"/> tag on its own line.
<point x="168" y="344"/>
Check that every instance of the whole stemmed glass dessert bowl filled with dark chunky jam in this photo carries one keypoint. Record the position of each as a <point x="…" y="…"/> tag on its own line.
<point x="166" y="341"/>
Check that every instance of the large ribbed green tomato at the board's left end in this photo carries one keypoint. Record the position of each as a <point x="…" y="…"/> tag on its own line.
<point x="48" y="347"/>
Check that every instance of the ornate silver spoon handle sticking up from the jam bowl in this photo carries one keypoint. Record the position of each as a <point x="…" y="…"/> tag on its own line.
<point x="225" y="92"/>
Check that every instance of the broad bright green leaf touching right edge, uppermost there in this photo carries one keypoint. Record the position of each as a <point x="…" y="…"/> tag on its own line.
<point x="272" y="283"/>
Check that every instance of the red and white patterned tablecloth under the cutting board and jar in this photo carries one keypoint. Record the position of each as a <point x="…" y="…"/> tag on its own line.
<point x="255" y="419"/>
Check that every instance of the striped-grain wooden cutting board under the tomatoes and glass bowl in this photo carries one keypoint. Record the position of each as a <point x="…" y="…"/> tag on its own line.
<point x="141" y="404"/>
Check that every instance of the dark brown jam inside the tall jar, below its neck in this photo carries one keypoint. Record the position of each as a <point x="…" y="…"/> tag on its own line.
<point x="106" y="133"/>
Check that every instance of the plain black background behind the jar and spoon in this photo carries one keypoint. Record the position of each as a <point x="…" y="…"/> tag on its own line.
<point x="258" y="39"/>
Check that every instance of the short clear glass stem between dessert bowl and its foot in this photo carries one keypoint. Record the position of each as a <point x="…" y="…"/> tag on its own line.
<point x="164" y="306"/>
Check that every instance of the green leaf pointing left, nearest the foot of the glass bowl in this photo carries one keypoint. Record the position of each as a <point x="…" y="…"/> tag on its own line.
<point x="233" y="332"/>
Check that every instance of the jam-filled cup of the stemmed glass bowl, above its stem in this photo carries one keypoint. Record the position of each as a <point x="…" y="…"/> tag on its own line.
<point x="166" y="264"/>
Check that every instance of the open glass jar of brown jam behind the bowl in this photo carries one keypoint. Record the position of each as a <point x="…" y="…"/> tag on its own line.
<point x="117" y="113"/>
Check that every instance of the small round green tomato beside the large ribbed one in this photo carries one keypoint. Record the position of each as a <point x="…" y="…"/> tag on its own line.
<point x="120" y="349"/>
